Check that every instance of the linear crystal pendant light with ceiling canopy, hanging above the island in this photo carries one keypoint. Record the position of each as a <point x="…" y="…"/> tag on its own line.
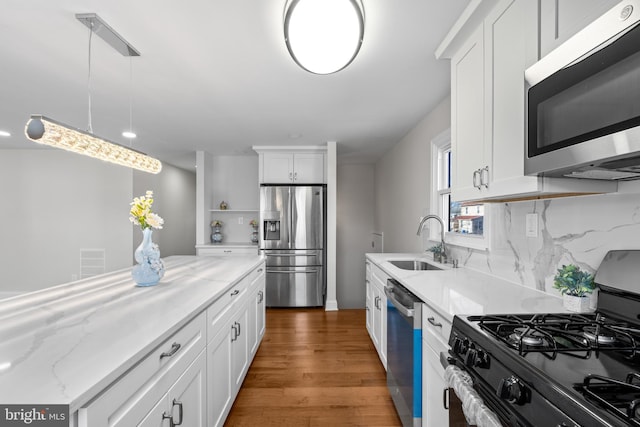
<point x="46" y="131"/>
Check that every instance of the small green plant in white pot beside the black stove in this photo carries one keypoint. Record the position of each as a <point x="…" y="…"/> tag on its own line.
<point x="575" y="286"/>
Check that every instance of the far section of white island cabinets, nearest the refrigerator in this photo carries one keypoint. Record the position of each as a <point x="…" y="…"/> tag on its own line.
<point x="236" y="322"/>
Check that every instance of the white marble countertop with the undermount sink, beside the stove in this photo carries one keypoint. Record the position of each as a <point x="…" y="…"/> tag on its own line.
<point x="454" y="291"/>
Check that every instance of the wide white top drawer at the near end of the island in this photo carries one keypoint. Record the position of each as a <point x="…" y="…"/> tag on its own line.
<point x="137" y="391"/>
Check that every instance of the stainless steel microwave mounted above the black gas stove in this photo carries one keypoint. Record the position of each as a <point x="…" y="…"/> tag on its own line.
<point x="583" y="102"/>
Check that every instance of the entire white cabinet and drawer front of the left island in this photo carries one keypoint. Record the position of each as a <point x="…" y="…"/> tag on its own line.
<point x="193" y="377"/>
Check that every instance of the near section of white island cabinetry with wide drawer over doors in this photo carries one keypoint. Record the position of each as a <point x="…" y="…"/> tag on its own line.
<point x="166" y="386"/>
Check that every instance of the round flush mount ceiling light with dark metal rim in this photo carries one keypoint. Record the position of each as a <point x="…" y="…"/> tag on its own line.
<point x="323" y="36"/>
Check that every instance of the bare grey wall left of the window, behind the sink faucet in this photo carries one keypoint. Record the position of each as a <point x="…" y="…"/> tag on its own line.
<point x="403" y="180"/>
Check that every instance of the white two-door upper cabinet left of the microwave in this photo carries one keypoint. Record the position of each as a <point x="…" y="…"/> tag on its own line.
<point x="490" y="47"/>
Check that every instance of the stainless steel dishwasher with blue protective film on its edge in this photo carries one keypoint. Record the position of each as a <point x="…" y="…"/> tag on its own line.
<point x="404" y="352"/>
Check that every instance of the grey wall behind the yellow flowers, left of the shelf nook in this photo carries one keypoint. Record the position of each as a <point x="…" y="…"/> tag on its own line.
<point x="174" y="192"/>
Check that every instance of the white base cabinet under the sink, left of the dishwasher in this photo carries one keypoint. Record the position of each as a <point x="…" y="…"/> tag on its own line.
<point x="377" y="311"/>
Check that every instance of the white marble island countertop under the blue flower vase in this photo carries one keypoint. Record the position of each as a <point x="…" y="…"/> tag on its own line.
<point x="65" y="344"/>
